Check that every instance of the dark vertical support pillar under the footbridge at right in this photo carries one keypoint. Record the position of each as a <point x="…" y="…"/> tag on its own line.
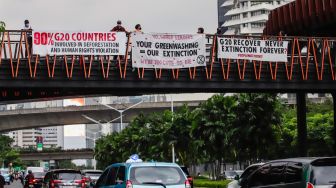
<point x="301" y="123"/>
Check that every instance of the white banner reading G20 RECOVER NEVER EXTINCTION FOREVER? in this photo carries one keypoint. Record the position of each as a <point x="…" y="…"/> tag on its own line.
<point x="251" y="49"/>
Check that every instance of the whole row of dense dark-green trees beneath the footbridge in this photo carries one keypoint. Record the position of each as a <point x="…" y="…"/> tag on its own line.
<point x="221" y="129"/>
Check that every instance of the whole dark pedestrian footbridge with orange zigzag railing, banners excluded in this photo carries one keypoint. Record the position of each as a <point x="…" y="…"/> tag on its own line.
<point x="310" y="68"/>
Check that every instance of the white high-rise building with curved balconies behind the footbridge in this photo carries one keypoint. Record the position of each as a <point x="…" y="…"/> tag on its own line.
<point x="246" y="17"/>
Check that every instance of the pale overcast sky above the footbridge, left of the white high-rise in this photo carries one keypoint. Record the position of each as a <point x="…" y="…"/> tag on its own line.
<point x="168" y="16"/>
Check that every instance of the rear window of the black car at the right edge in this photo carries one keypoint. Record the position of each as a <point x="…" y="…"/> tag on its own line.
<point x="323" y="175"/>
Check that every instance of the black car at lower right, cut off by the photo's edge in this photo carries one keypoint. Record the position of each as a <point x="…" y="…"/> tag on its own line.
<point x="294" y="173"/>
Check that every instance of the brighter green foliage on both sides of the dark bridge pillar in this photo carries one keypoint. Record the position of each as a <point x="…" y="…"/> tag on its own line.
<point x="319" y="130"/>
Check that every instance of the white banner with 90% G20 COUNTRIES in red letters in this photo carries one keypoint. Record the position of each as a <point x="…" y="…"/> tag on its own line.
<point x="79" y="43"/>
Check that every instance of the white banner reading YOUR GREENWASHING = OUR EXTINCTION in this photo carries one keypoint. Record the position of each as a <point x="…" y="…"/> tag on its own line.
<point x="168" y="51"/>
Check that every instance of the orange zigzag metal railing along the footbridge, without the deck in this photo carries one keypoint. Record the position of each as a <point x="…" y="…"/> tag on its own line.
<point x="309" y="58"/>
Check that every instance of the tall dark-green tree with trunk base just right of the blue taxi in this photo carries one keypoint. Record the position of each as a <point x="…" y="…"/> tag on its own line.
<point x="214" y="128"/>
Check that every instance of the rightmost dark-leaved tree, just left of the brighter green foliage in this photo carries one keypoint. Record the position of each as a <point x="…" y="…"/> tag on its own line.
<point x="256" y="126"/>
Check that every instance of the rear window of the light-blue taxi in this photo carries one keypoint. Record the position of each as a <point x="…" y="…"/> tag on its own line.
<point x="157" y="174"/>
